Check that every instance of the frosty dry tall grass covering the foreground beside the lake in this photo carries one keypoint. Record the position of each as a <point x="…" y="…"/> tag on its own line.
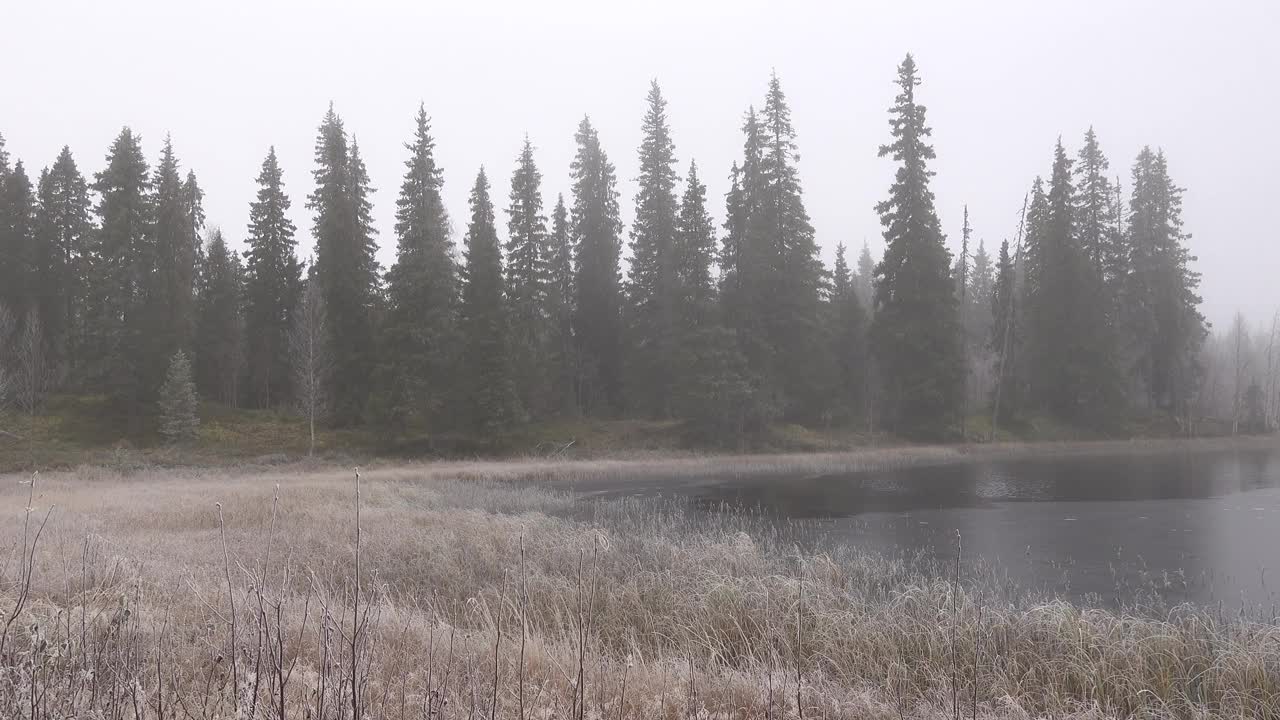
<point x="467" y="596"/>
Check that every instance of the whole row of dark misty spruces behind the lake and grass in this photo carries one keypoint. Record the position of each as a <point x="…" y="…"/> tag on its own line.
<point x="1092" y="311"/>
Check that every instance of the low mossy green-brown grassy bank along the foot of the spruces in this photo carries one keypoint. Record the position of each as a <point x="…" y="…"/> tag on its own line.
<point x="76" y="431"/>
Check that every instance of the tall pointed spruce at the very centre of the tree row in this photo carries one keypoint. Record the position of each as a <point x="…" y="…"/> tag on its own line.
<point x="652" y="291"/>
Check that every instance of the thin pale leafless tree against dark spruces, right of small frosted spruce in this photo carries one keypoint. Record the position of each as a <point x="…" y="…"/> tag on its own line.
<point x="313" y="364"/>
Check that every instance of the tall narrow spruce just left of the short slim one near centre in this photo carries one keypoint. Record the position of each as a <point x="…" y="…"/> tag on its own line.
<point x="528" y="263"/>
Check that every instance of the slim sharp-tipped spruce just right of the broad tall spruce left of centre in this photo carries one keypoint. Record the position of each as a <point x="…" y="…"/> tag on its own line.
<point x="491" y="390"/>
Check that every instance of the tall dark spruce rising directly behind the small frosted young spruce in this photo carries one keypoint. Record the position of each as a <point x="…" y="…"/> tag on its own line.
<point x="171" y="297"/>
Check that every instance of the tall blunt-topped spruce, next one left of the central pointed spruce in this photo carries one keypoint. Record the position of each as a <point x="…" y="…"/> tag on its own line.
<point x="596" y="229"/>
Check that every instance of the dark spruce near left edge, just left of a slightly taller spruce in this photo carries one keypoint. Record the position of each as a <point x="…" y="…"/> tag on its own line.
<point x="63" y="231"/>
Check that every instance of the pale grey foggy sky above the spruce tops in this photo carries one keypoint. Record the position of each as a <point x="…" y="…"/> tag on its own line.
<point x="1002" y="84"/>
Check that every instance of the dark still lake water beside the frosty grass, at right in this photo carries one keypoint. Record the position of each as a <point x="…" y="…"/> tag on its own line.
<point x="1197" y="527"/>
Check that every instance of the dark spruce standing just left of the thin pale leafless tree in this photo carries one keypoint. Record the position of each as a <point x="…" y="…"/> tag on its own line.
<point x="273" y="281"/>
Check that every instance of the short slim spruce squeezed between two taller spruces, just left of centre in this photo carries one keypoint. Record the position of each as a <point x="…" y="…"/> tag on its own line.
<point x="563" y="357"/>
